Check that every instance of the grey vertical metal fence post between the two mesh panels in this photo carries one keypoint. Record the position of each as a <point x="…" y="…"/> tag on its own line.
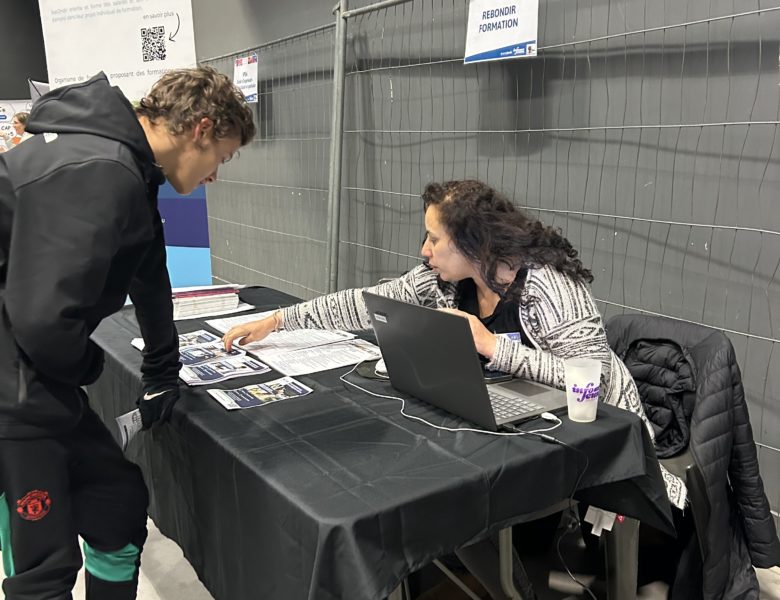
<point x="336" y="142"/>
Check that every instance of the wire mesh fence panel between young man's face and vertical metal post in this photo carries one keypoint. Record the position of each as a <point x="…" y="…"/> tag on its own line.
<point x="268" y="209"/>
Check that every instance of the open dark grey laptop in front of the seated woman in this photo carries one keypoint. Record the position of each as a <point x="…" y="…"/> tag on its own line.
<point x="431" y="355"/>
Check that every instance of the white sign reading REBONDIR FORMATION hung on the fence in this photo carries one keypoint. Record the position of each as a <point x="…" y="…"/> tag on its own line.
<point x="501" y="29"/>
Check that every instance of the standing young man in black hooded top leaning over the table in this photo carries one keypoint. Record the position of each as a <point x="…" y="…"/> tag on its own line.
<point x="79" y="231"/>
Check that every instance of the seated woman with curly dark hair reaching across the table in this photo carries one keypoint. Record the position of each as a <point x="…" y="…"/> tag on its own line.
<point x="505" y="272"/>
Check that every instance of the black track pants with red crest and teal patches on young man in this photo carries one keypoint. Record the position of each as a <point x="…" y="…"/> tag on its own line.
<point x="54" y="489"/>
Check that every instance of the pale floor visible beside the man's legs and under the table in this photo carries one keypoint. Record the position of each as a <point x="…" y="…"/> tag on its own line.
<point x="166" y="575"/>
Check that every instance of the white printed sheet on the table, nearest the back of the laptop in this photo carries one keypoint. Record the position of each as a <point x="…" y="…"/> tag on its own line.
<point x="322" y="358"/>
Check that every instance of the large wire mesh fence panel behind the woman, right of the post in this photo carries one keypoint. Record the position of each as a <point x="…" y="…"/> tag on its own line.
<point x="646" y="131"/>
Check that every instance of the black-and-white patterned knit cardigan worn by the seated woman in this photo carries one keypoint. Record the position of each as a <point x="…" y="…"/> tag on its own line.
<point x="557" y="313"/>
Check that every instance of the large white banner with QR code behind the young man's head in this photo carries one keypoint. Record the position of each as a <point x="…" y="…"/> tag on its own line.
<point x="133" y="41"/>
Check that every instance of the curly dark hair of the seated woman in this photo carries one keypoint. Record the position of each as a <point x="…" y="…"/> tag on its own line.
<point x="489" y="230"/>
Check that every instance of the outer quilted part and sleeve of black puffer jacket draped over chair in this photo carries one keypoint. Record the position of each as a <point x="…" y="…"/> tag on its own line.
<point x="726" y="473"/>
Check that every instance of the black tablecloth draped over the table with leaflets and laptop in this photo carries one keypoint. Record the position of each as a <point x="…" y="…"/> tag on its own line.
<point x="337" y="495"/>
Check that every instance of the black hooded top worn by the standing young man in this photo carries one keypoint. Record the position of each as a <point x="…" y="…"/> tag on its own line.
<point x="79" y="230"/>
